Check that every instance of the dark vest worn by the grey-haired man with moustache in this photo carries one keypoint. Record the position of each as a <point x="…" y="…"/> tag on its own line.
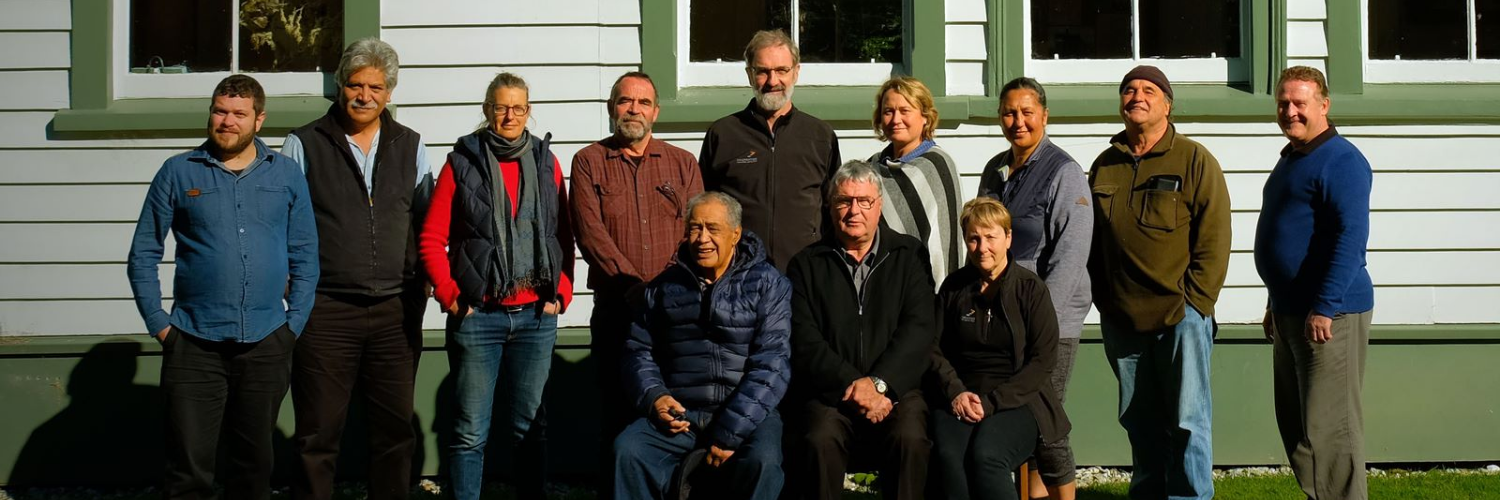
<point x="367" y="242"/>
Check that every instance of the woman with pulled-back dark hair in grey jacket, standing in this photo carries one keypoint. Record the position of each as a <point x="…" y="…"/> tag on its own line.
<point x="1049" y="200"/>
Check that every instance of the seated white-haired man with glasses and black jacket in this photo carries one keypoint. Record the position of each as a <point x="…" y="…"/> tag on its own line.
<point x="862" y="331"/>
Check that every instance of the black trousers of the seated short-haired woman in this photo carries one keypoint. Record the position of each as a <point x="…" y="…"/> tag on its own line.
<point x="976" y="460"/>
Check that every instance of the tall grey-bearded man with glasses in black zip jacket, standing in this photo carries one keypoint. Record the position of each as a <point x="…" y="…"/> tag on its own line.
<point x="775" y="160"/>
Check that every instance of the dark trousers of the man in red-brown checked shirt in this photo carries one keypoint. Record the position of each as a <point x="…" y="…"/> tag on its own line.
<point x="608" y="328"/>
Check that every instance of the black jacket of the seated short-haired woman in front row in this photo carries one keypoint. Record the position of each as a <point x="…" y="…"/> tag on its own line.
<point x="965" y="348"/>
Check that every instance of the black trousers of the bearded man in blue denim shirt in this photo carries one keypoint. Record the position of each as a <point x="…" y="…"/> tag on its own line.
<point x="229" y="390"/>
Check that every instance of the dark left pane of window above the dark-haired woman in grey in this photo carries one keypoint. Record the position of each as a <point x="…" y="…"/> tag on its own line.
<point x="1081" y="29"/>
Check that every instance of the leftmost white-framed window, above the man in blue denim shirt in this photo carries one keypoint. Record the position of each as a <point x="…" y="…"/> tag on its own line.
<point x="178" y="50"/>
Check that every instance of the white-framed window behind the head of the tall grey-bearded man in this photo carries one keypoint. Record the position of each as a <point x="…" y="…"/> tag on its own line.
<point x="844" y="43"/>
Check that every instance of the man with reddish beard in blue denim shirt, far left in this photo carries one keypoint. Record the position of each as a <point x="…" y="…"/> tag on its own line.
<point x="247" y="241"/>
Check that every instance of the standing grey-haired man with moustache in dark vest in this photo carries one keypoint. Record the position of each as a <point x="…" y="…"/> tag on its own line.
<point x="370" y="182"/>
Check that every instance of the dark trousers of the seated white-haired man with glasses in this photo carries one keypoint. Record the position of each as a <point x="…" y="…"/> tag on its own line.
<point x="826" y="439"/>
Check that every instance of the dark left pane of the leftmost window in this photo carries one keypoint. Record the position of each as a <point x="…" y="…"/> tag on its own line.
<point x="181" y="34"/>
